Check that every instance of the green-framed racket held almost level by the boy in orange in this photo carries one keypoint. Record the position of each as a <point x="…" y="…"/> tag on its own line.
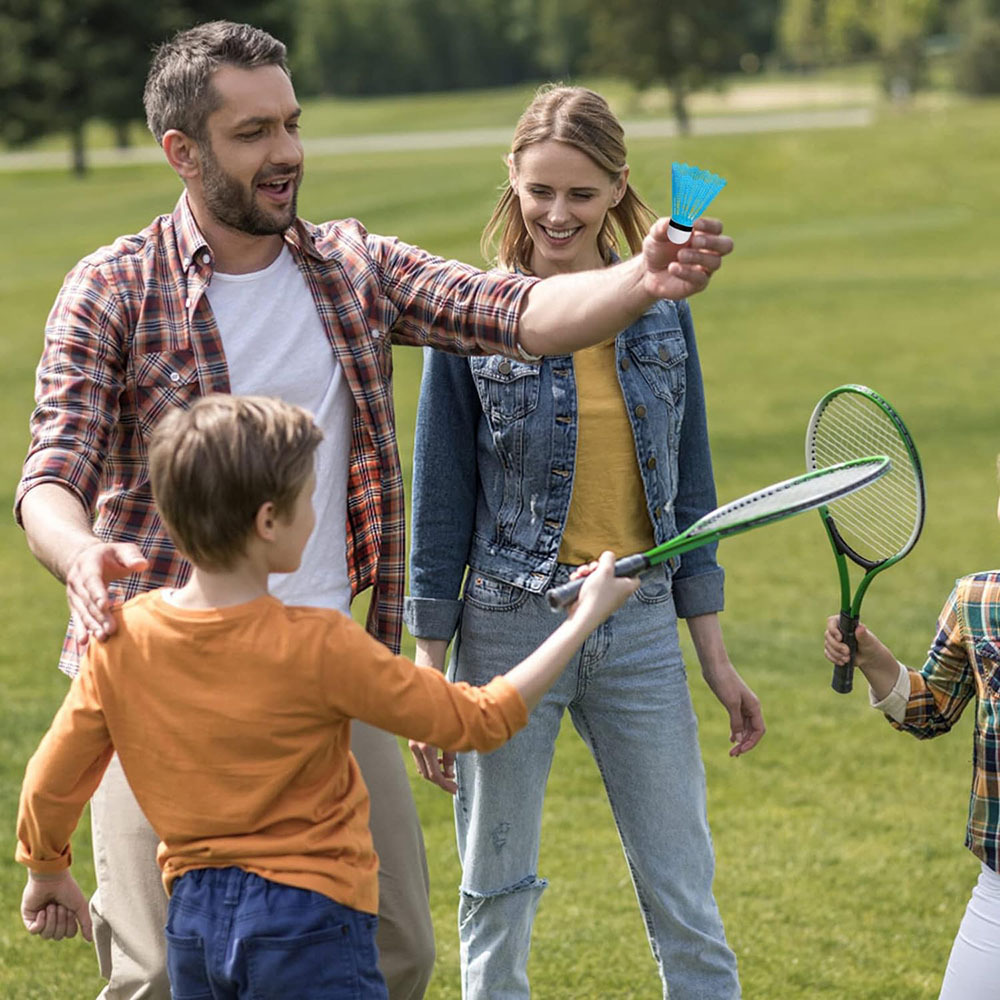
<point x="770" y="504"/>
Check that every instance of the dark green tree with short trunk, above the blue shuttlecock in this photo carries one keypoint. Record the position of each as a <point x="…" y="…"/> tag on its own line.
<point x="683" y="45"/>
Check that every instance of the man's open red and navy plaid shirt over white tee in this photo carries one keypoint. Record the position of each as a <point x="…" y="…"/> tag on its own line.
<point x="131" y="334"/>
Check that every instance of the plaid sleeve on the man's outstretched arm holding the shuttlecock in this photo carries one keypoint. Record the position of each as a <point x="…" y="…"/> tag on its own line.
<point x="428" y="301"/>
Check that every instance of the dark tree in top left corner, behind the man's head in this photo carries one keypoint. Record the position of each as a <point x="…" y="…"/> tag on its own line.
<point x="66" y="62"/>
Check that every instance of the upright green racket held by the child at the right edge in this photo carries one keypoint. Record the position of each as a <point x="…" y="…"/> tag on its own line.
<point x="874" y="528"/>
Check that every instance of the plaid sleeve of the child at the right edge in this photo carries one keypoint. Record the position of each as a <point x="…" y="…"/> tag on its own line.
<point x="940" y="691"/>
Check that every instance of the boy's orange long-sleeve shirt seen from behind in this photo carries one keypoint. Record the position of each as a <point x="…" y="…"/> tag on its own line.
<point x="233" y="729"/>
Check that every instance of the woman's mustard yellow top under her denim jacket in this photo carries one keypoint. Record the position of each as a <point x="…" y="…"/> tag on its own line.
<point x="608" y="506"/>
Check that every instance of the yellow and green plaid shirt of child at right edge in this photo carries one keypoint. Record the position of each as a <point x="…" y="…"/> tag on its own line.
<point x="964" y="663"/>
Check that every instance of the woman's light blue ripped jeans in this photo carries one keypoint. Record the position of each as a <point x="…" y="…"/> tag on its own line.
<point x="627" y="695"/>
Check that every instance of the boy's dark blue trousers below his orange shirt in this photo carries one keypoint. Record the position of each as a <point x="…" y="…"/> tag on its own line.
<point x="232" y="934"/>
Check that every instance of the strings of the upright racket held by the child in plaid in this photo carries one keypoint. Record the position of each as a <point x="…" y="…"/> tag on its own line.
<point x="884" y="520"/>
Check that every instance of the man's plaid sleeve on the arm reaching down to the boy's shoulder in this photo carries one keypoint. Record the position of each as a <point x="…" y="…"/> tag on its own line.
<point x="78" y="383"/>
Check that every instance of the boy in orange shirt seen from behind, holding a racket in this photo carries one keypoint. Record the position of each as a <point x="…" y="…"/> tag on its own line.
<point x="230" y="714"/>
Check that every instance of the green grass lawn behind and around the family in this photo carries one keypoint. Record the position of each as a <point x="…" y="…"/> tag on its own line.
<point x="841" y="871"/>
